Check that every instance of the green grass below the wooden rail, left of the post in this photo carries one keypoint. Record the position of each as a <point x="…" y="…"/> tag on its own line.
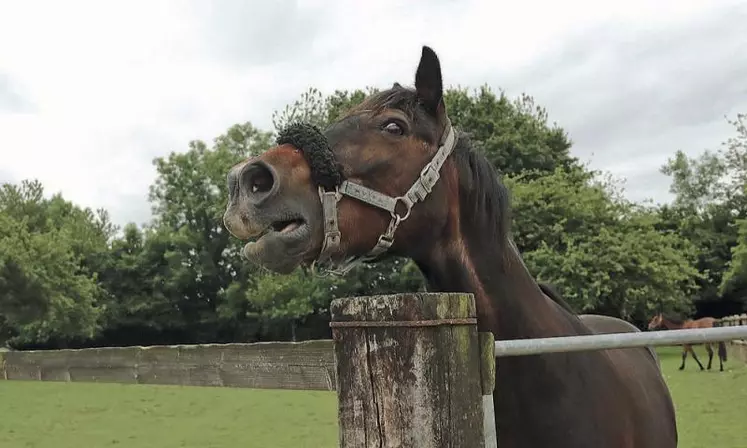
<point x="67" y="415"/>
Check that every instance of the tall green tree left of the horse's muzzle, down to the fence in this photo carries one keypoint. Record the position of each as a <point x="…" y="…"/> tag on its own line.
<point x="183" y="277"/>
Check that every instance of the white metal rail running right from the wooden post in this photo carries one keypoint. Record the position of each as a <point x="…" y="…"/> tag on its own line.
<point x="518" y="347"/>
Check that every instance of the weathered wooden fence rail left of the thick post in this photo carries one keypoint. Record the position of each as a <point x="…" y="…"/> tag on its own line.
<point x="266" y="365"/>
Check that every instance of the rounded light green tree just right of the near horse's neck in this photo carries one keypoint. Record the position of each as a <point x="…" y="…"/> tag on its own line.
<point x="603" y="253"/>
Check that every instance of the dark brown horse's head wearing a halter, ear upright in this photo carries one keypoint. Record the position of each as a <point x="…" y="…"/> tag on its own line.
<point x="386" y="197"/>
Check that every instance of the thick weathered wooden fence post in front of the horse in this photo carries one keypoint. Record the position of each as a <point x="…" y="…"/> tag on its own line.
<point x="408" y="371"/>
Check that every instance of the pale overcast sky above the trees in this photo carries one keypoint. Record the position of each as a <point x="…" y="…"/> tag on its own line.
<point x="91" y="92"/>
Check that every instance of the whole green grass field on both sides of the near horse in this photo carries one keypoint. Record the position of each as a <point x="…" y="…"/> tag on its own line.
<point x="711" y="408"/>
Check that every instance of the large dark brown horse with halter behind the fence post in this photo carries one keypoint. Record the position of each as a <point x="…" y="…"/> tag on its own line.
<point x="410" y="185"/>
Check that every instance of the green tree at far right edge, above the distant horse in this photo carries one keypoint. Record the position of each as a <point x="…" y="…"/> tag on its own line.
<point x="709" y="204"/>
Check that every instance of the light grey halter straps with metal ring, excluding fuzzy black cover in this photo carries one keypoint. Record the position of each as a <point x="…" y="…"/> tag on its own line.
<point x="419" y="190"/>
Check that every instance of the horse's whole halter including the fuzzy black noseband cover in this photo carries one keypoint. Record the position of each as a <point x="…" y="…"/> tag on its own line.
<point x="327" y="175"/>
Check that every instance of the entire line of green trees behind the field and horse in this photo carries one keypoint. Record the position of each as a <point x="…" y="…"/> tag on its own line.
<point x="70" y="278"/>
